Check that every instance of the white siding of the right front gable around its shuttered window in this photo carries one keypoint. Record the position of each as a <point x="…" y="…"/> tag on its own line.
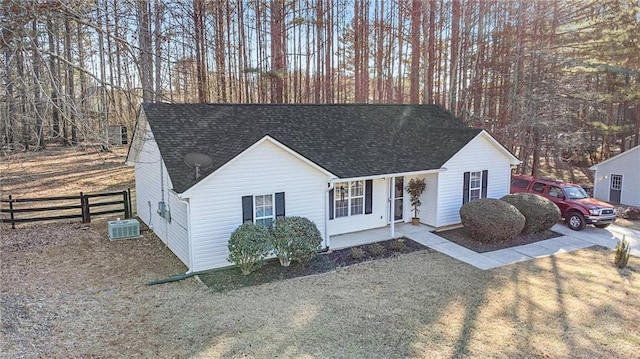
<point x="478" y="155"/>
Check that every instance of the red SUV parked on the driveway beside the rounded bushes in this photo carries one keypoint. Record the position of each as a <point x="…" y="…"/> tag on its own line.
<point x="576" y="207"/>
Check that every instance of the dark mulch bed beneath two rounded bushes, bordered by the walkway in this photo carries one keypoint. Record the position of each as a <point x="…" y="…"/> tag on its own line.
<point x="460" y="236"/>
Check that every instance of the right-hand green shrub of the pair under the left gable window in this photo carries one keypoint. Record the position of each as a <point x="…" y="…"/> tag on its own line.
<point x="295" y="239"/>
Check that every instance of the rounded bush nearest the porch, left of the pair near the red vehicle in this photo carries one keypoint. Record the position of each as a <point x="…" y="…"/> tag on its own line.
<point x="491" y="220"/>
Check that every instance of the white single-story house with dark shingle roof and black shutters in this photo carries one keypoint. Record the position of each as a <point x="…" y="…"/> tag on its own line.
<point x="201" y="170"/>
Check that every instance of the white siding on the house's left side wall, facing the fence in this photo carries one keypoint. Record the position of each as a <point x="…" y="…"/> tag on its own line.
<point x="150" y="184"/>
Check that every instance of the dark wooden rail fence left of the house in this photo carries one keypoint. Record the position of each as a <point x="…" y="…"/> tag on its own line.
<point x="84" y="206"/>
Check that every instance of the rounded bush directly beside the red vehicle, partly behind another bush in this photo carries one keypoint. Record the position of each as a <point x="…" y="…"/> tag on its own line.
<point x="540" y="213"/>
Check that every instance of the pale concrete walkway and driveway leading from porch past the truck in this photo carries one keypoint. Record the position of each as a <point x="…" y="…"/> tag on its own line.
<point x="570" y="241"/>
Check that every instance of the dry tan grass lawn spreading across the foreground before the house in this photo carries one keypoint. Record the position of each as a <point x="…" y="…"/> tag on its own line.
<point x="70" y="292"/>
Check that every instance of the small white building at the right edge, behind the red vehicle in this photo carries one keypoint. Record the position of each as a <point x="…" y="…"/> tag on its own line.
<point x="617" y="179"/>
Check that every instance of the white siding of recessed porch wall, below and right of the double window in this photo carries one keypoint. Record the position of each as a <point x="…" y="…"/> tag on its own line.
<point x="378" y="217"/>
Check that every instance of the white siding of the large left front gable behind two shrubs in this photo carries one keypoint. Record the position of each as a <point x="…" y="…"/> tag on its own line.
<point x="216" y="202"/>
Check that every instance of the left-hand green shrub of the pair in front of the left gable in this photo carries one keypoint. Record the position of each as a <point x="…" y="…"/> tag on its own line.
<point x="248" y="246"/>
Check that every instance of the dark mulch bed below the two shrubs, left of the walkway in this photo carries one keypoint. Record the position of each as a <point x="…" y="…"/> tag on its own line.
<point x="231" y="278"/>
